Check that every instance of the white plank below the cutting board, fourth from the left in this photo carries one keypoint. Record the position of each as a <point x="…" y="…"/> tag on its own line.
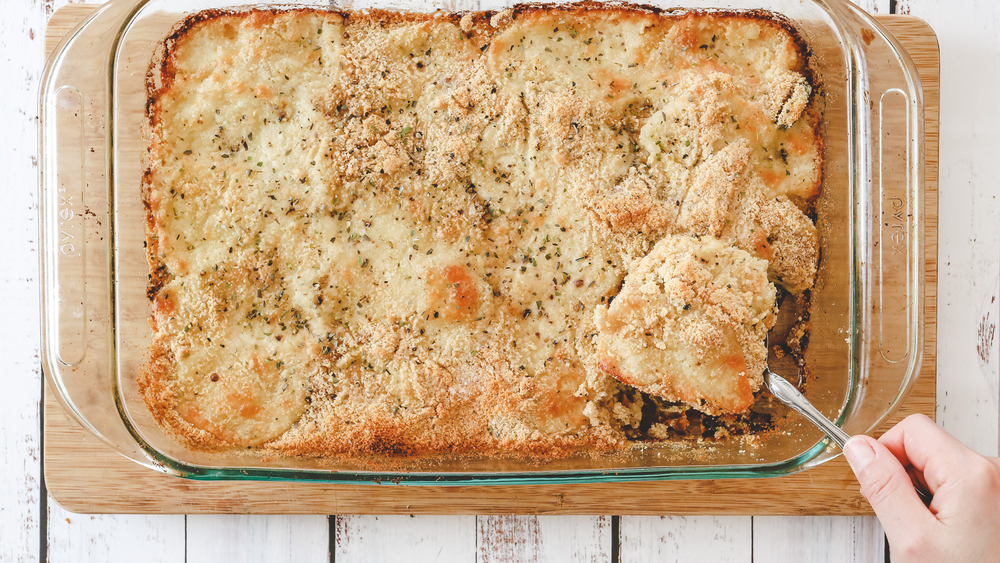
<point x="415" y="539"/>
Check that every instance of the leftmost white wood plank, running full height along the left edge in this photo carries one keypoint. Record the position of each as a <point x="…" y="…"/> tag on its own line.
<point x="21" y="506"/>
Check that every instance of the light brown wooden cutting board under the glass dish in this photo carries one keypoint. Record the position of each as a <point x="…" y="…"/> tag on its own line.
<point x="84" y="475"/>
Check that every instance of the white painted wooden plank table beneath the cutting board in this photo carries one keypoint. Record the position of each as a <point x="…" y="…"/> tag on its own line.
<point x="33" y="527"/>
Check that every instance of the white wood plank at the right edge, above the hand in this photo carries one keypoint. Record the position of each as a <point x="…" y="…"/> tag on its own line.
<point x="969" y="35"/>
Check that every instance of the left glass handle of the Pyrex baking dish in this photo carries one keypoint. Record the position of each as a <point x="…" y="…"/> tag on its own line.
<point x="78" y="341"/>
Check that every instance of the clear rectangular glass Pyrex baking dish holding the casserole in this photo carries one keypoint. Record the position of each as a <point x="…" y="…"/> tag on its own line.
<point x="866" y="328"/>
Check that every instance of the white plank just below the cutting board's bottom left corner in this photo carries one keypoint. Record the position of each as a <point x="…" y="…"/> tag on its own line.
<point x="114" y="538"/>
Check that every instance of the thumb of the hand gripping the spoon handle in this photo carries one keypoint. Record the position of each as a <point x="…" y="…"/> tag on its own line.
<point x="887" y="486"/>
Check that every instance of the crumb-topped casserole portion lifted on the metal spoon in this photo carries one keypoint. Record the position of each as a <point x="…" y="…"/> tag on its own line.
<point x="690" y="324"/>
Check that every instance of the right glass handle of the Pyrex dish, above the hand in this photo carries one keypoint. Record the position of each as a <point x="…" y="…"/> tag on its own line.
<point x="889" y="185"/>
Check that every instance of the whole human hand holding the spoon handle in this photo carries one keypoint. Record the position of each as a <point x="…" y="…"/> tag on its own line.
<point x="962" y="522"/>
